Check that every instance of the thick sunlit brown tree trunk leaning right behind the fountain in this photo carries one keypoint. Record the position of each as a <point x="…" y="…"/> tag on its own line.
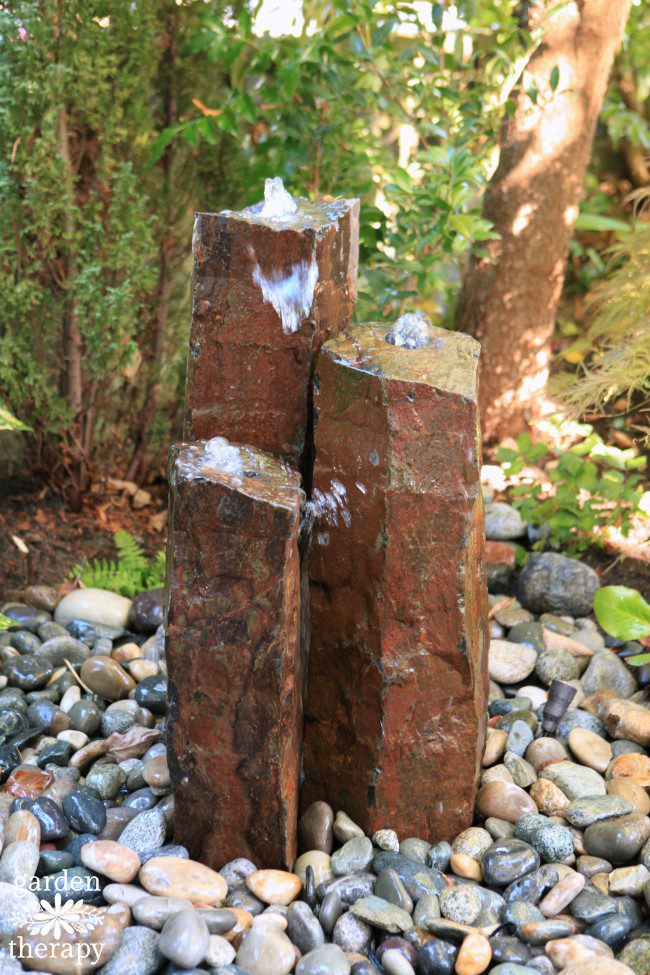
<point x="509" y="302"/>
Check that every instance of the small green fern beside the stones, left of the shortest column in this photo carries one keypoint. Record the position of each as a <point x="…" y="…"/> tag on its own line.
<point x="132" y="572"/>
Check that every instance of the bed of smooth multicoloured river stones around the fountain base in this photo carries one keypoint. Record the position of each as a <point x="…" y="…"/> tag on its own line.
<point x="554" y="875"/>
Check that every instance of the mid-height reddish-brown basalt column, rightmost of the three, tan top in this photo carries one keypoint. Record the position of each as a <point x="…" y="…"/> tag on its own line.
<point x="397" y="685"/>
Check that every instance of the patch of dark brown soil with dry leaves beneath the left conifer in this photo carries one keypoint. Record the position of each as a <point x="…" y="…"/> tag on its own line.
<point x="58" y="539"/>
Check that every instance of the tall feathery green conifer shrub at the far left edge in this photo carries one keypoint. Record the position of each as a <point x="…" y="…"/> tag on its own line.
<point x="76" y="230"/>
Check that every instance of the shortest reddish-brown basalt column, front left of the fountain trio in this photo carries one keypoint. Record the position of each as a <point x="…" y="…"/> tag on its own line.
<point x="232" y="644"/>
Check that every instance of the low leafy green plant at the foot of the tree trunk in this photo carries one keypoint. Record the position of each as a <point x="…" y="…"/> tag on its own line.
<point x="592" y="489"/>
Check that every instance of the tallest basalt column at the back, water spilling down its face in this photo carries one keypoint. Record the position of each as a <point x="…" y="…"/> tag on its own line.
<point x="249" y="374"/>
